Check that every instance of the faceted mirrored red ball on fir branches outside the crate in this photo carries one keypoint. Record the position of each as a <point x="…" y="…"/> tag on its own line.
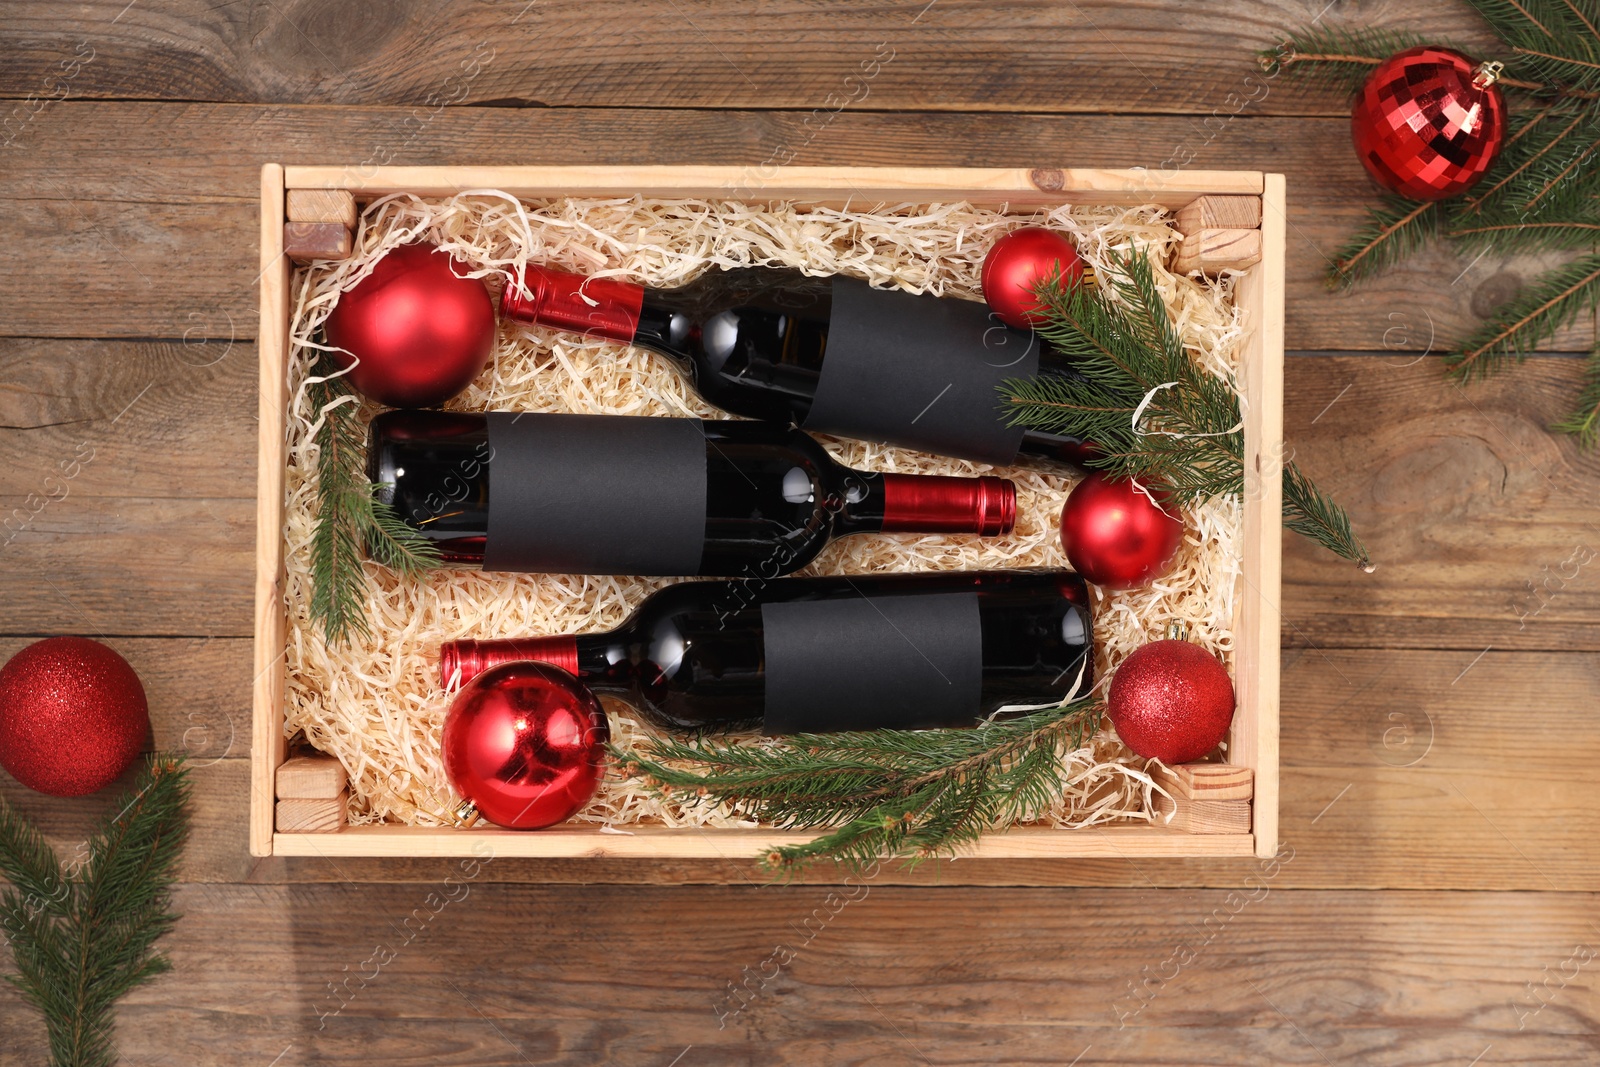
<point x="1430" y="122"/>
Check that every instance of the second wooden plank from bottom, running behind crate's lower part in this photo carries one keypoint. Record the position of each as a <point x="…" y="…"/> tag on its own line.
<point x="1394" y="777"/>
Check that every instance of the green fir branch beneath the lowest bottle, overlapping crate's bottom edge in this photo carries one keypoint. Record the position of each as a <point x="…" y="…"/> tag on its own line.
<point x="886" y="794"/>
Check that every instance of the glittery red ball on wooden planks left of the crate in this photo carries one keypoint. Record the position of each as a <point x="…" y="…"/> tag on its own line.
<point x="73" y="716"/>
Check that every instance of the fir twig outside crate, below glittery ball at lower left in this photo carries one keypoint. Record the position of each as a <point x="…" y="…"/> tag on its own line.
<point x="81" y="943"/>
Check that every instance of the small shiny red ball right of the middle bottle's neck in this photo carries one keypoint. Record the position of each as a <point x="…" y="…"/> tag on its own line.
<point x="1116" y="535"/>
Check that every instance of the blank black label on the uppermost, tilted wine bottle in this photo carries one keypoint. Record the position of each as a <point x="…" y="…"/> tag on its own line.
<point x="919" y="372"/>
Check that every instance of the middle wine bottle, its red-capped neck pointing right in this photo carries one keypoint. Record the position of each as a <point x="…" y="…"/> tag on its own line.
<point x="622" y="495"/>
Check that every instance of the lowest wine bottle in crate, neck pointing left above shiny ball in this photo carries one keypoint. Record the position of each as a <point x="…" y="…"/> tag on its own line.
<point x="814" y="655"/>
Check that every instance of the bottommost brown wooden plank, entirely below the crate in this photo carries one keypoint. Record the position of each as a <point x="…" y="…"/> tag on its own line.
<point x="474" y="973"/>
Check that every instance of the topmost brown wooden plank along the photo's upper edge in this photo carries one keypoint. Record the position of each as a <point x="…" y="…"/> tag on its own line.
<point x="1196" y="60"/>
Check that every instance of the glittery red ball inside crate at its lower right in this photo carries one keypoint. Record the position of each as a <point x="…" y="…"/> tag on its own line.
<point x="1172" y="701"/>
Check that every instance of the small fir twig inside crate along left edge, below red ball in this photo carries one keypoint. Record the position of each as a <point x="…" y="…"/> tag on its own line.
<point x="350" y="518"/>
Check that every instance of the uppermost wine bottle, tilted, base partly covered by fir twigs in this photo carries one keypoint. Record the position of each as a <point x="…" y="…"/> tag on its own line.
<point x="831" y="354"/>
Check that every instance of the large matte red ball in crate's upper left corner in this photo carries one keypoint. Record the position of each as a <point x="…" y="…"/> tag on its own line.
<point x="418" y="326"/>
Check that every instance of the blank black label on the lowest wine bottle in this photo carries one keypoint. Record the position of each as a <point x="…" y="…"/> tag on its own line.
<point x="889" y="663"/>
